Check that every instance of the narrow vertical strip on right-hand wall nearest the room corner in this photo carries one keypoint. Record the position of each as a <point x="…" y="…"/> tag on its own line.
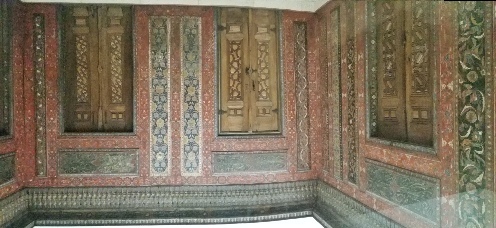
<point x="335" y="93"/>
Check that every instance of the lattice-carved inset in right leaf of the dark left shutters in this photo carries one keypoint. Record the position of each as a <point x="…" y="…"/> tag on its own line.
<point x="116" y="68"/>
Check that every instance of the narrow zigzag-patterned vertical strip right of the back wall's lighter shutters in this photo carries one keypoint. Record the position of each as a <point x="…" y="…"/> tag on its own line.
<point x="301" y="76"/>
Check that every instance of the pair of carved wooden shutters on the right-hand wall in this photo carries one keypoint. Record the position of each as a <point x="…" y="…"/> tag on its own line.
<point x="404" y="71"/>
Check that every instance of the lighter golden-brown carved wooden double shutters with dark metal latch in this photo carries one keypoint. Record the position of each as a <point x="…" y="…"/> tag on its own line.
<point x="249" y="72"/>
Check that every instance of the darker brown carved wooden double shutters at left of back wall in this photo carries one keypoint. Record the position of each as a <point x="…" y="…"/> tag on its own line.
<point x="98" y="69"/>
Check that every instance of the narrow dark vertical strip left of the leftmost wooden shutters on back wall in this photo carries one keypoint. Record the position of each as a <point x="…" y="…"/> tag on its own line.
<point x="40" y="93"/>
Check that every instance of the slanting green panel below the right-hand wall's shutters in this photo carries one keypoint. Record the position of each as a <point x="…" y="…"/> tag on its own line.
<point x="414" y="192"/>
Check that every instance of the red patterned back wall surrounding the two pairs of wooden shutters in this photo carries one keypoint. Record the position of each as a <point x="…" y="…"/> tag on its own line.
<point x="175" y="139"/>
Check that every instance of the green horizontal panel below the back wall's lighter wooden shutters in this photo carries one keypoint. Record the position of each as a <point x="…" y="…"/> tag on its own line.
<point x="243" y="162"/>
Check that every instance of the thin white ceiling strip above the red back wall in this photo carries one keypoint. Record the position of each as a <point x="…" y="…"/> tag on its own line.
<point x="298" y="5"/>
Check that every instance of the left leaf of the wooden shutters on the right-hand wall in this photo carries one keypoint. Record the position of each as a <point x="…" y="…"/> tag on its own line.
<point x="391" y="64"/>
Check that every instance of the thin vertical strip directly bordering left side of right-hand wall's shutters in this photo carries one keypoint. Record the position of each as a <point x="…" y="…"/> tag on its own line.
<point x="372" y="68"/>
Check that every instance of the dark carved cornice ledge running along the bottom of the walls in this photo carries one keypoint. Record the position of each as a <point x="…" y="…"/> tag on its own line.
<point x="186" y="204"/>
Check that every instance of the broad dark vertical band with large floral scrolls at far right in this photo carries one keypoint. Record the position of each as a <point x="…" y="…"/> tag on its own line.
<point x="472" y="118"/>
